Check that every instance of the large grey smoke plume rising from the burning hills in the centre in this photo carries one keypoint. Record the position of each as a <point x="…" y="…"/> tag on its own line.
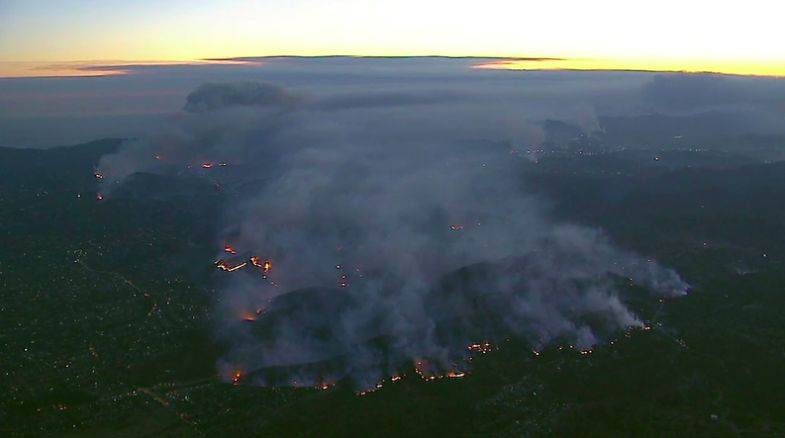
<point x="398" y="227"/>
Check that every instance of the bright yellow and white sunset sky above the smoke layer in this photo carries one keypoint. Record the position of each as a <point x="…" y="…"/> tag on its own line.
<point x="59" y="37"/>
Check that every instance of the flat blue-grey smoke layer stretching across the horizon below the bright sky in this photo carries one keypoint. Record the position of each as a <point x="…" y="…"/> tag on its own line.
<point x="45" y="112"/>
